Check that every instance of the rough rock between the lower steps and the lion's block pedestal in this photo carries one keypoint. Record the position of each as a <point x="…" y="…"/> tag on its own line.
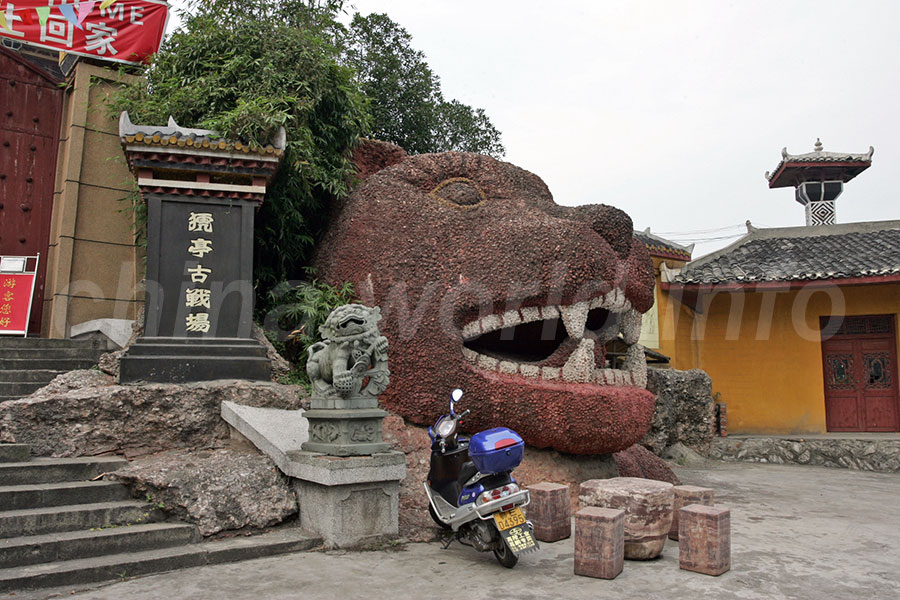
<point x="217" y="490"/>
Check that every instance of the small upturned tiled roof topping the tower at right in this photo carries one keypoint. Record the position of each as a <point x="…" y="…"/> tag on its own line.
<point x="838" y="165"/>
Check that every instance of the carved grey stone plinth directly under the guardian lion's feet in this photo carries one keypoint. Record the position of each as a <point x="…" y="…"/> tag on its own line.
<point x="345" y="431"/>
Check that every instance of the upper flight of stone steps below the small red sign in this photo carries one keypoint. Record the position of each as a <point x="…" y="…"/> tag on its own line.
<point x="27" y="364"/>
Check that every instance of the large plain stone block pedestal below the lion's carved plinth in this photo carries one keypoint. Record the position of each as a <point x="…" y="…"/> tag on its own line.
<point x="348" y="501"/>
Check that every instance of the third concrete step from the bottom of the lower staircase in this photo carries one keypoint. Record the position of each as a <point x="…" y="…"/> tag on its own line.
<point x="37" y="521"/>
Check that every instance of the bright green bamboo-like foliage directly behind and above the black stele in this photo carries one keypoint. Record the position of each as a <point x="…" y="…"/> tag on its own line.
<point x="245" y="68"/>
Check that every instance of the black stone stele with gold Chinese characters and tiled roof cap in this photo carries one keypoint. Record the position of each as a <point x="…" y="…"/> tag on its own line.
<point x="202" y="193"/>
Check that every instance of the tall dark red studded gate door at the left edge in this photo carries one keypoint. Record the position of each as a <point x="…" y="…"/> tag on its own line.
<point x="30" y="109"/>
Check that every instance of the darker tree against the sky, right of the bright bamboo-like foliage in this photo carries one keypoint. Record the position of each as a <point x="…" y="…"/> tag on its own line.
<point x="407" y="105"/>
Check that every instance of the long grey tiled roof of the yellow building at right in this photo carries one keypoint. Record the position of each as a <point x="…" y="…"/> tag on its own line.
<point x="831" y="252"/>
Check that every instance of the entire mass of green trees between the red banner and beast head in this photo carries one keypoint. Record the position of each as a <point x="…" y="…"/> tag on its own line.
<point x="245" y="68"/>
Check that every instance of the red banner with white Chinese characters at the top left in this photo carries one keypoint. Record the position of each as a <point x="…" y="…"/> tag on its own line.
<point x="126" y="31"/>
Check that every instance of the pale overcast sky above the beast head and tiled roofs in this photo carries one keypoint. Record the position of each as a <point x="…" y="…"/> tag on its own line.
<point x="674" y="110"/>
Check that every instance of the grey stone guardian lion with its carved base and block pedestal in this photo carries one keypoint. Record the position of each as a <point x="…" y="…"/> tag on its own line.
<point x="347" y="479"/>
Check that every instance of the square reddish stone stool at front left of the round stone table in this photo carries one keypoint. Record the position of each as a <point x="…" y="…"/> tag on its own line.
<point x="599" y="542"/>
